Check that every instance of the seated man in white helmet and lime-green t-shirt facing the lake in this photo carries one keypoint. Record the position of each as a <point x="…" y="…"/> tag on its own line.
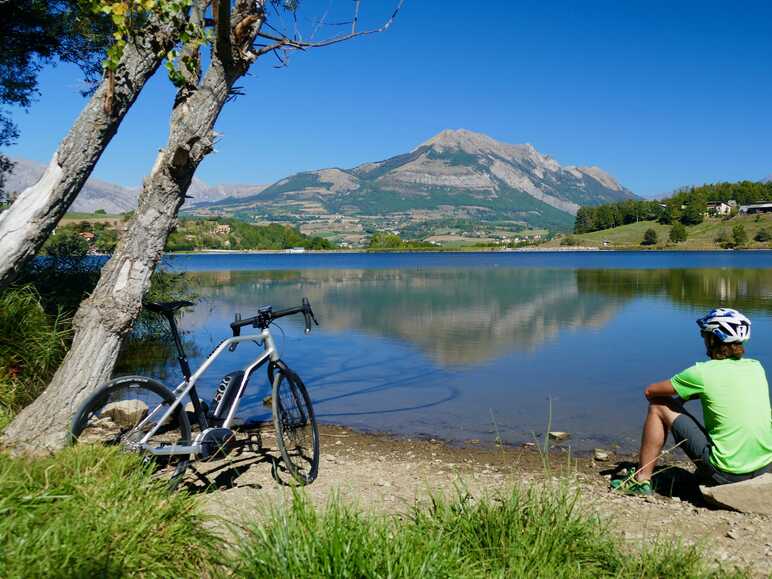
<point x="736" y="442"/>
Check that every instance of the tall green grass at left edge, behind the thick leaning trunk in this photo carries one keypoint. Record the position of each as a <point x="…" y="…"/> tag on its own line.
<point x="32" y="343"/>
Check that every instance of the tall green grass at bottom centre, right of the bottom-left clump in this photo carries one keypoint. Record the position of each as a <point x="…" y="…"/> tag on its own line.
<point x="527" y="533"/>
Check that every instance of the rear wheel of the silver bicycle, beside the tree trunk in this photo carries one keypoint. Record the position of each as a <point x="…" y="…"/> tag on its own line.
<point x="96" y="422"/>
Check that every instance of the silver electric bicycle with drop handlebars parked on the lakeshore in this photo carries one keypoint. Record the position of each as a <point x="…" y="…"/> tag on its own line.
<point x="142" y="415"/>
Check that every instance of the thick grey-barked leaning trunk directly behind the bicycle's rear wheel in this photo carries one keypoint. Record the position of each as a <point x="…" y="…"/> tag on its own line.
<point x="103" y="320"/>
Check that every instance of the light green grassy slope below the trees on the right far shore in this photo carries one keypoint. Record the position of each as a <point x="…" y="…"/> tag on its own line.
<point x="700" y="236"/>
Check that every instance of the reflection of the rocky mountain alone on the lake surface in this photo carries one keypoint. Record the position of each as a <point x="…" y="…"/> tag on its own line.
<point x="454" y="316"/>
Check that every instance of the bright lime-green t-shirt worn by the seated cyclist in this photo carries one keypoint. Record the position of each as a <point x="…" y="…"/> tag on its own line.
<point x="735" y="405"/>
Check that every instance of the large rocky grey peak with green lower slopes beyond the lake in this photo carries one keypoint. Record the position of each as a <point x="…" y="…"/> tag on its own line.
<point x="457" y="176"/>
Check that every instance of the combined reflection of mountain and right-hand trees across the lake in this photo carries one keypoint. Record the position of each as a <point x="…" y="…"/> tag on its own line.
<point x="473" y="315"/>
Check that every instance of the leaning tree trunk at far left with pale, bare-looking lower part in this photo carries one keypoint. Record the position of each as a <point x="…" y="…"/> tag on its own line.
<point x="28" y="222"/>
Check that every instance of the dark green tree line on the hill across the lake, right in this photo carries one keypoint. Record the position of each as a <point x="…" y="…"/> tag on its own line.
<point x="686" y="206"/>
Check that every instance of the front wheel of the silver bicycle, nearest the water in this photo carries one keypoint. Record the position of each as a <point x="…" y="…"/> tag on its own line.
<point x="297" y="434"/>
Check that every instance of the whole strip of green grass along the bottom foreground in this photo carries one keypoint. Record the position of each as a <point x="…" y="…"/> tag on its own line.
<point x="97" y="512"/>
